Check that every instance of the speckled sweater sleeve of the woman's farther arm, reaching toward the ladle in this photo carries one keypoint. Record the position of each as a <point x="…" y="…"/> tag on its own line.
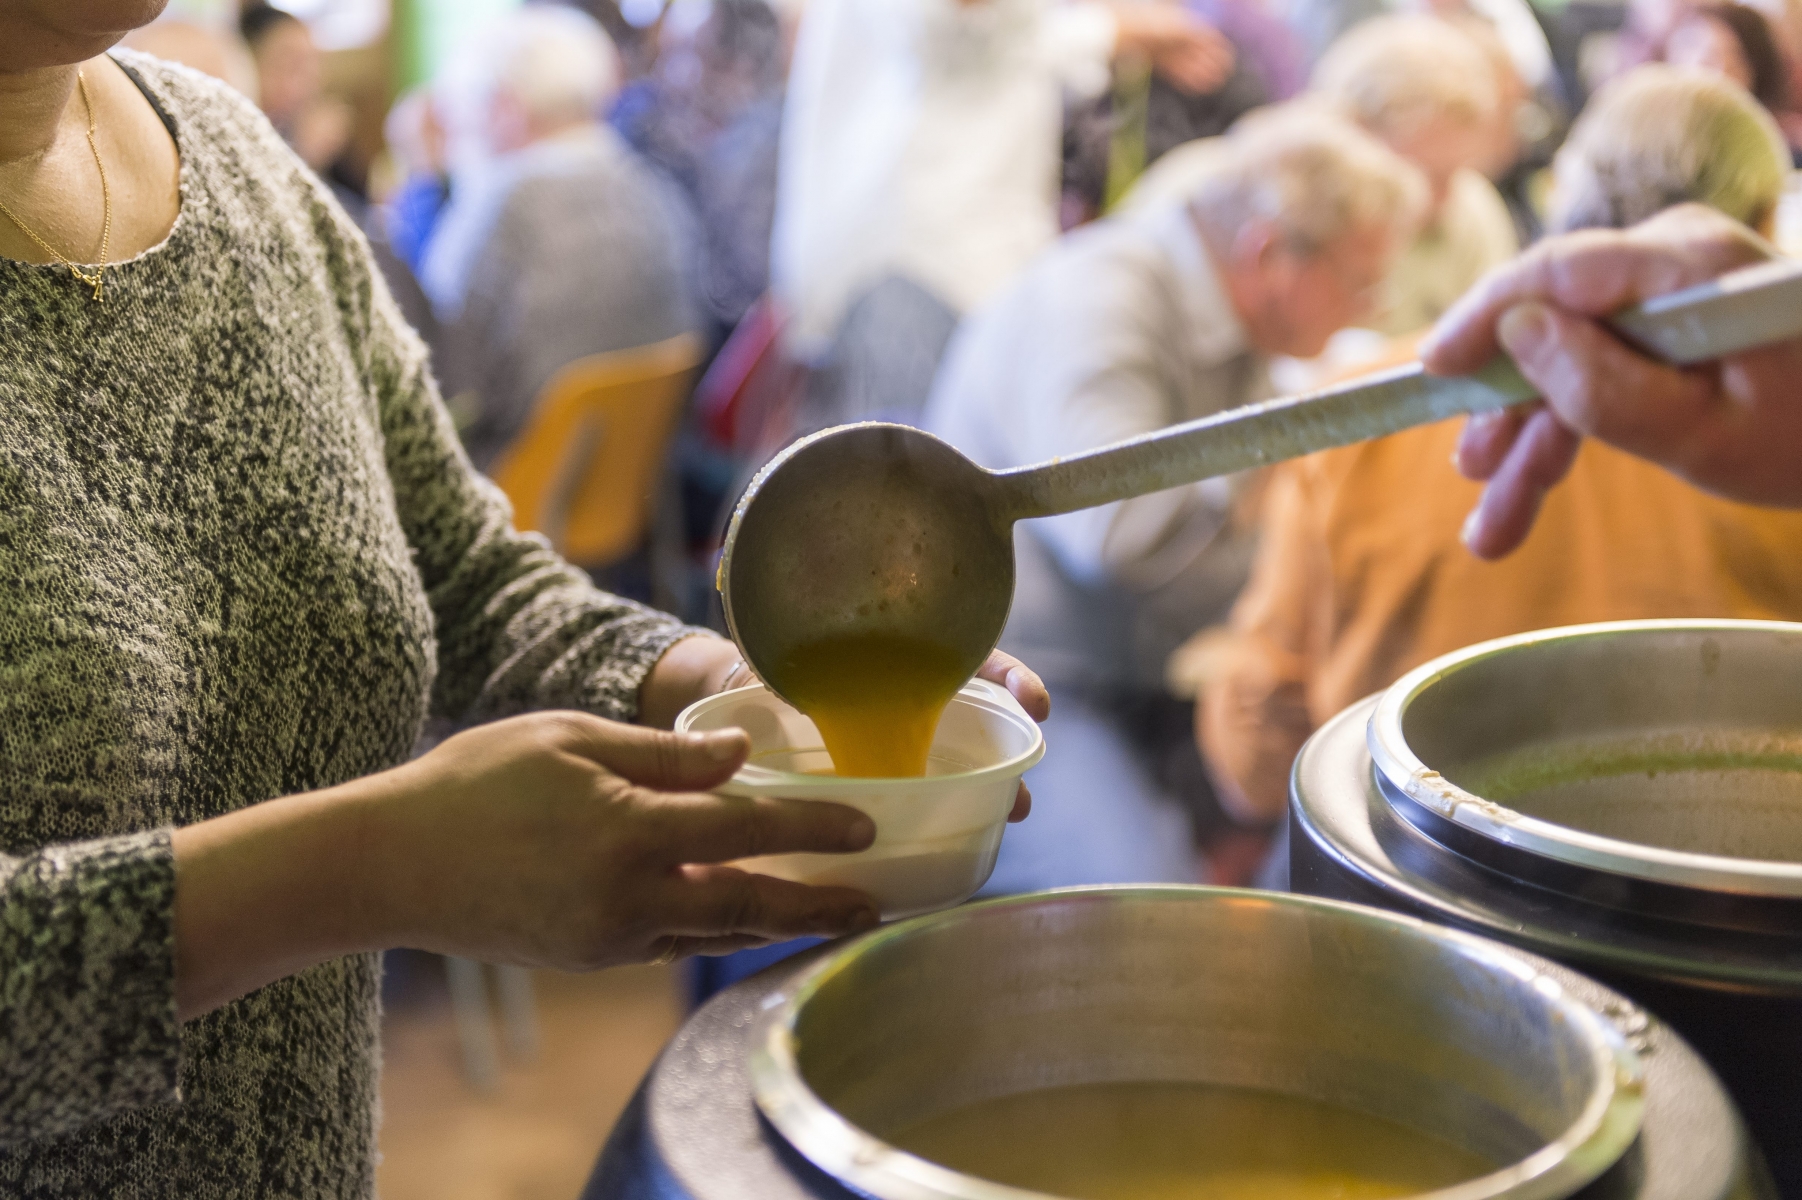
<point x="518" y="628"/>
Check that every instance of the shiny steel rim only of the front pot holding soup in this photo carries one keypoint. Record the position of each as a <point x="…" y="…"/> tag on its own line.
<point x="1597" y="1138"/>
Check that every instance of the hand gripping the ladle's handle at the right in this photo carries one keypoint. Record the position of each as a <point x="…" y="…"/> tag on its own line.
<point x="1733" y="428"/>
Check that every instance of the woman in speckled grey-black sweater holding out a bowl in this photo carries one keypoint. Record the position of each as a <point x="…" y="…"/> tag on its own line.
<point x="242" y="559"/>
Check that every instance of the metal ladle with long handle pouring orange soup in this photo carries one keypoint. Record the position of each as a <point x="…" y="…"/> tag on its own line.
<point x="882" y="529"/>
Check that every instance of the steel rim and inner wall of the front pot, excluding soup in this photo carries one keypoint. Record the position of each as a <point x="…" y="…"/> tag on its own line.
<point x="1394" y="1017"/>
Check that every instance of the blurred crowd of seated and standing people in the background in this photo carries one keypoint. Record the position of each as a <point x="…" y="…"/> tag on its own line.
<point x="651" y="253"/>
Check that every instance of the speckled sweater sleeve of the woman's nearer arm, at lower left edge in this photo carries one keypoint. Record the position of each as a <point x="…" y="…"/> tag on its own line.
<point x="87" y="985"/>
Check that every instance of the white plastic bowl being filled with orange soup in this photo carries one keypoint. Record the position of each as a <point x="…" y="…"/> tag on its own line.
<point x="936" y="835"/>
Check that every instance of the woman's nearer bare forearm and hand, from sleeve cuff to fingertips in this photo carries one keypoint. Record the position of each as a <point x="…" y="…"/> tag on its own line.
<point x="551" y="841"/>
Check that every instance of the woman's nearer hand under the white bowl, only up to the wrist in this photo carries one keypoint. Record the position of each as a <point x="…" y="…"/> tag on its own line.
<point x="570" y="842"/>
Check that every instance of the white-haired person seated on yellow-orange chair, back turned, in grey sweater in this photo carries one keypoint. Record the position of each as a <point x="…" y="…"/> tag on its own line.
<point x="560" y="242"/>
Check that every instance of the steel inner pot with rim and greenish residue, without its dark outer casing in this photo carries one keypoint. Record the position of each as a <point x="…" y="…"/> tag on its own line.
<point x="1659" y="758"/>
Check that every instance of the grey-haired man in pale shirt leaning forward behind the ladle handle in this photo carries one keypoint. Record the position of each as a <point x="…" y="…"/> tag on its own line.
<point x="1124" y="329"/>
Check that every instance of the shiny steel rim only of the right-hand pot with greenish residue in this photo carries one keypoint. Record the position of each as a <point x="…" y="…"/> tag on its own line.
<point x="1397" y="763"/>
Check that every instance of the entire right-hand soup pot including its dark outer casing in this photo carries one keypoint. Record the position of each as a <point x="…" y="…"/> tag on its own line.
<point x="1626" y="799"/>
